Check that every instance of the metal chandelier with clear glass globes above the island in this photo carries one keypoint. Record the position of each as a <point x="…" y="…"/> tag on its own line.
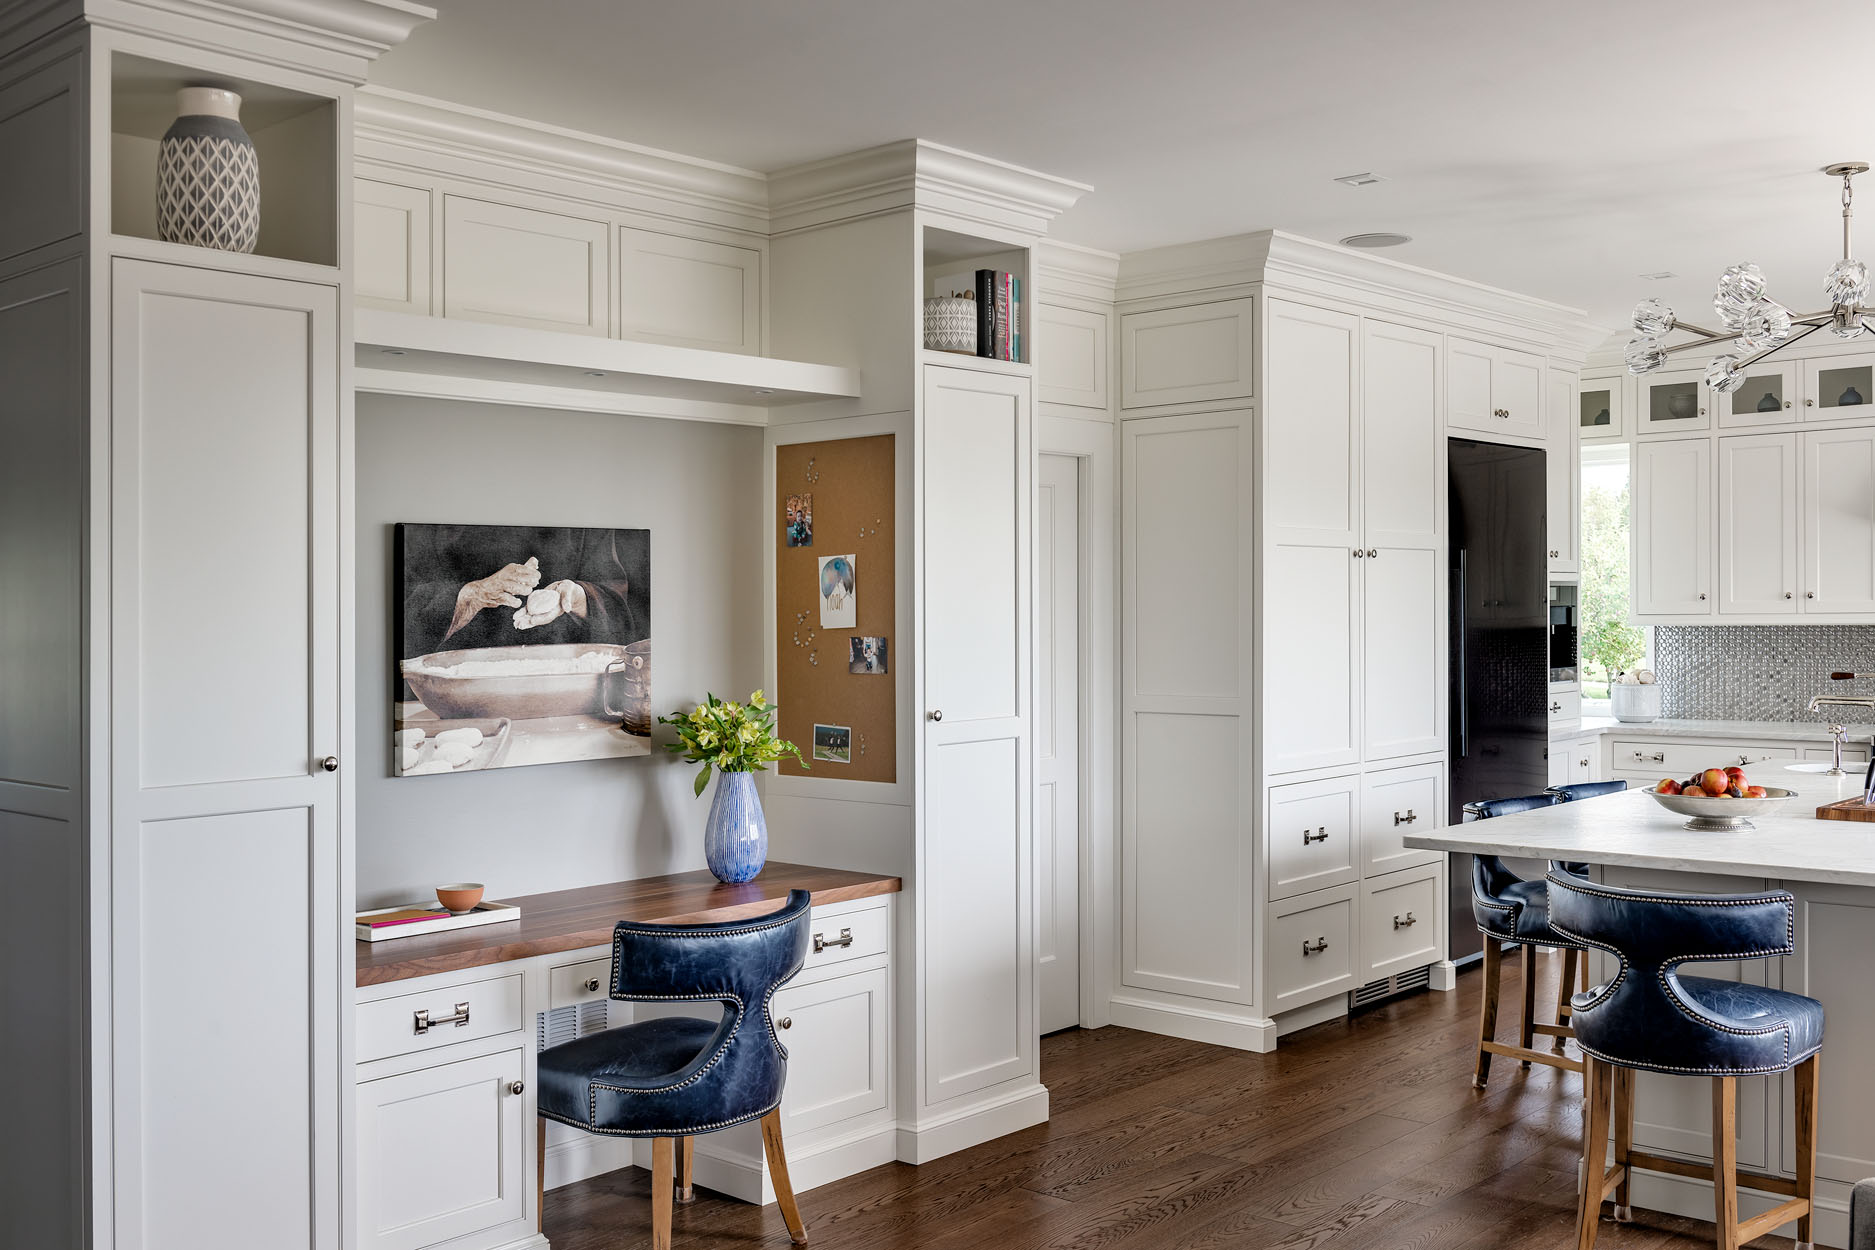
<point x="1752" y="320"/>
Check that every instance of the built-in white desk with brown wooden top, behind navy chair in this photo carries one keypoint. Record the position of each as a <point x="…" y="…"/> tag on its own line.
<point x="449" y="1028"/>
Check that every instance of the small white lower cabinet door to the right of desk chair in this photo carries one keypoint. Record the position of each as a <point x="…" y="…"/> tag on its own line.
<point x="839" y="1049"/>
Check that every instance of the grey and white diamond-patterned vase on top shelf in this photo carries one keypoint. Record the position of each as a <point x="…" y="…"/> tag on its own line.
<point x="207" y="175"/>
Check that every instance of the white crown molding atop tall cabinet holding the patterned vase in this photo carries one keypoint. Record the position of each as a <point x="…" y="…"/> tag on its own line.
<point x="337" y="38"/>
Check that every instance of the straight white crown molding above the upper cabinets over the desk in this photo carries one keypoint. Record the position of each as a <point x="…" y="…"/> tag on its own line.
<point x="398" y="128"/>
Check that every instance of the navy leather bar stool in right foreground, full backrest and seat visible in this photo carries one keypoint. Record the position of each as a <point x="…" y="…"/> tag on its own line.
<point x="1651" y="1019"/>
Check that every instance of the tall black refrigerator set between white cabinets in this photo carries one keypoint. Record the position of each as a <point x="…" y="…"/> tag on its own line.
<point x="1499" y="638"/>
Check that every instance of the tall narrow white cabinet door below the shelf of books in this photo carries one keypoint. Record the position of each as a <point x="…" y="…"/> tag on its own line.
<point x="976" y="874"/>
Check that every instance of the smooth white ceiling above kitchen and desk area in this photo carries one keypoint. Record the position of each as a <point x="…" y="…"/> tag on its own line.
<point x="1552" y="149"/>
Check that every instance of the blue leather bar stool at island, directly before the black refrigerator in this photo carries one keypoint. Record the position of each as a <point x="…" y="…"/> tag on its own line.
<point x="1510" y="910"/>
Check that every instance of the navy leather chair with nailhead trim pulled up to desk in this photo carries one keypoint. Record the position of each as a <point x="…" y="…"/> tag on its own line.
<point x="676" y="1077"/>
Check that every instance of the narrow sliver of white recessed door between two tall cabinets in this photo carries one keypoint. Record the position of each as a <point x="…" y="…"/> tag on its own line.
<point x="1058" y="739"/>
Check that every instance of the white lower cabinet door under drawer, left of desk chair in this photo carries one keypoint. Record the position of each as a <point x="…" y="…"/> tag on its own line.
<point x="443" y="1153"/>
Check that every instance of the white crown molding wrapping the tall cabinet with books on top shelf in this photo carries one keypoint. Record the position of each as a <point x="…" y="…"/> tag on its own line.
<point x="916" y="173"/>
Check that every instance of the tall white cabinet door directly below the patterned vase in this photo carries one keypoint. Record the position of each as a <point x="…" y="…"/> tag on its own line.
<point x="226" y="692"/>
